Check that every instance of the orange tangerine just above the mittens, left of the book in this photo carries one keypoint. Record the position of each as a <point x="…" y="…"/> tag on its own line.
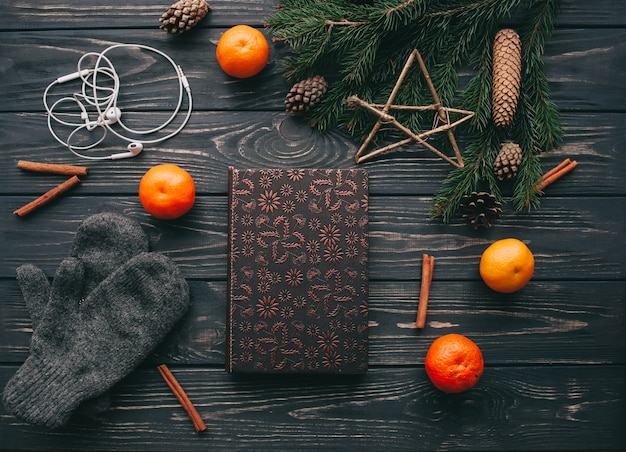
<point x="167" y="191"/>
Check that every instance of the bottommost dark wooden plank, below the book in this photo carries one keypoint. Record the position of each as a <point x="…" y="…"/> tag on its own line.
<point x="547" y="408"/>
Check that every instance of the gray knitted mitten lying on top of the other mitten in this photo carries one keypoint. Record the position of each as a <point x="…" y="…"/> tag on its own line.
<point x="82" y="347"/>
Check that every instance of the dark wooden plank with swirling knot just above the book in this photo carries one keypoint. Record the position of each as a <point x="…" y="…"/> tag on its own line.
<point x="212" y="141"/>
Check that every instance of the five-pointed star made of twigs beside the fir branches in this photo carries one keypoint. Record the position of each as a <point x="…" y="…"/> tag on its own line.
<point x="442" y="120"/>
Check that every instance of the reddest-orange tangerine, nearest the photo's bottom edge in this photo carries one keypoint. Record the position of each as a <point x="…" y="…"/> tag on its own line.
<point x="454" y="363"/>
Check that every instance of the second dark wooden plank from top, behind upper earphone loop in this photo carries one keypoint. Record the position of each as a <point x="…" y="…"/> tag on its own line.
<point x="34" y="59"/>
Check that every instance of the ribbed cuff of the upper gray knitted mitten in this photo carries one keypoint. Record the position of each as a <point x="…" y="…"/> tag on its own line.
<point x="44" y="393"/>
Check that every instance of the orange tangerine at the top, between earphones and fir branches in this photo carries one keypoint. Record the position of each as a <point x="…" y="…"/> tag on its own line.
<point x="242" y="51"/>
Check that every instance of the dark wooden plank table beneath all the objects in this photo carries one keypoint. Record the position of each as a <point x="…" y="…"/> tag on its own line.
<point x="555" y="352"/>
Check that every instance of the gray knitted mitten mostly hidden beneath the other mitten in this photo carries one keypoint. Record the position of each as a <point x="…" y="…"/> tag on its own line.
<point x="103" y="242"/>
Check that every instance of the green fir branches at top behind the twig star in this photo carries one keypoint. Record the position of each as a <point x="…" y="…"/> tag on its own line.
<point x="361" y="48"/>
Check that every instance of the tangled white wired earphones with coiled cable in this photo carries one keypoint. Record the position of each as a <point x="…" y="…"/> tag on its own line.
<point x="103" y="99"/>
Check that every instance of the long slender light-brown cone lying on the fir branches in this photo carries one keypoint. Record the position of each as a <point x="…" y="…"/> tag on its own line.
<point x="507" y="68"/>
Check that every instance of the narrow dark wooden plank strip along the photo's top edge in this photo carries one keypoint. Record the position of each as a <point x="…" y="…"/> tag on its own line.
<point x="145" y="13"/>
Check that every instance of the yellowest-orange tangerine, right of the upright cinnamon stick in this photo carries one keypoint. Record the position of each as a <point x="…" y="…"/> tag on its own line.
<point x="507" y="265"/>
